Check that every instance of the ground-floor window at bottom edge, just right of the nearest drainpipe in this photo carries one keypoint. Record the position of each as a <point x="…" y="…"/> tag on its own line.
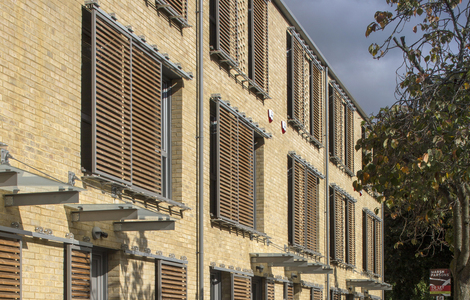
<point x="225" y="285"/>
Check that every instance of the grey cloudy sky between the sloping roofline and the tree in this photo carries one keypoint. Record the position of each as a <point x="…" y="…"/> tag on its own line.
<point x="338" y="28"/>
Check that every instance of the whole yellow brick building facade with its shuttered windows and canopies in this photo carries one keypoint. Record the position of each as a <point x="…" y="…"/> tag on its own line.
<point x="99" y="137"/>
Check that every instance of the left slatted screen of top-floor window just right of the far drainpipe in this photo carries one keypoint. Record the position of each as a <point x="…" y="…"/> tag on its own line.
<point x="338" y="125"/>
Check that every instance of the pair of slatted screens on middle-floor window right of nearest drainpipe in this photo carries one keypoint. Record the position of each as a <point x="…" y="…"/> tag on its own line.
<point x="236" y="169"/>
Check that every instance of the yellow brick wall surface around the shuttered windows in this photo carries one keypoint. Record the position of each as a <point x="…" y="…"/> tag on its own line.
<point x="40" y="113"/>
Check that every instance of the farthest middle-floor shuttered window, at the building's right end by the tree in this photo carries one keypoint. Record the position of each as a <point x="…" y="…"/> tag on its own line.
<point x="372" y="242"/>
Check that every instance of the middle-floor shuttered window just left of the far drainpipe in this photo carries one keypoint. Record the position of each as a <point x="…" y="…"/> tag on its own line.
<point x="303" y="205"/>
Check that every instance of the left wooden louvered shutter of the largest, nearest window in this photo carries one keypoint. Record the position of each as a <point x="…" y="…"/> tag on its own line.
<point x="113" y="102"/>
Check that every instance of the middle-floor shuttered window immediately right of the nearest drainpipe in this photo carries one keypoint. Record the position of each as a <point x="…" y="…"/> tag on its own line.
<point x="236" y="144"/>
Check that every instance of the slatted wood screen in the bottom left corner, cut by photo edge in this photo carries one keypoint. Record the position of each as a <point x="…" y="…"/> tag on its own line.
<point x="10" y="268"/>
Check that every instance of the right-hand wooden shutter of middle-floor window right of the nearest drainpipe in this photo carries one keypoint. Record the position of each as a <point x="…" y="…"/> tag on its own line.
<point x="246" y="175"/>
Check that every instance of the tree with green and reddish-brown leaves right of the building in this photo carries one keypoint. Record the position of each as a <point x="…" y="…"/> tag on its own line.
<point x="417" y="153"/>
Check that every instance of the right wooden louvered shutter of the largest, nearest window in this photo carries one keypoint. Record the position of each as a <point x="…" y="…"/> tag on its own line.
<point x="146" y="122"/>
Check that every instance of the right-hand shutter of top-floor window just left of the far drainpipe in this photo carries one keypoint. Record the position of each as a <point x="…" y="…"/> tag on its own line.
<point x="316" y="94"/>
